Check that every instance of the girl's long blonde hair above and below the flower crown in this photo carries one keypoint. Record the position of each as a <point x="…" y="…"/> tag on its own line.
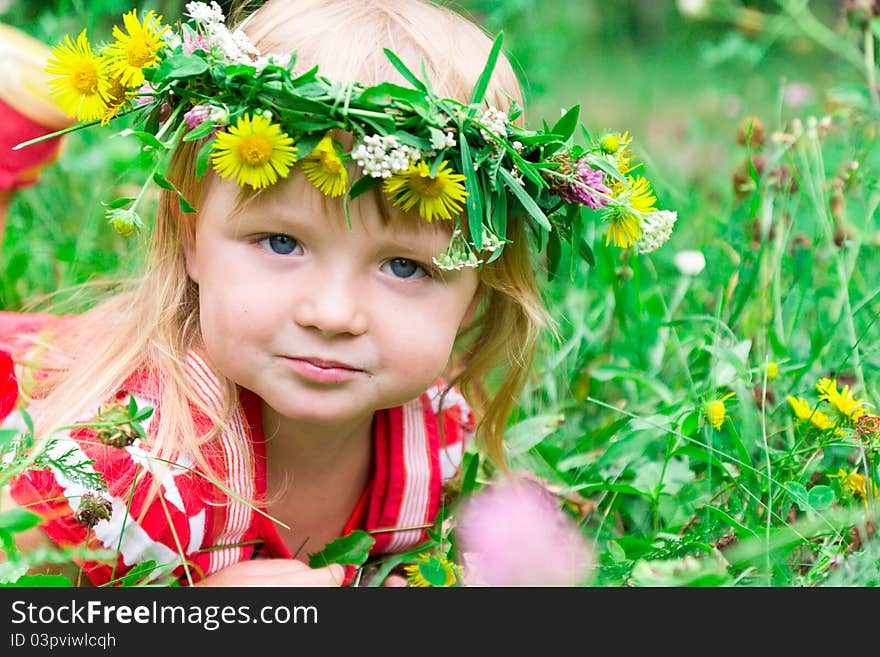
<point x="151" y="324"/>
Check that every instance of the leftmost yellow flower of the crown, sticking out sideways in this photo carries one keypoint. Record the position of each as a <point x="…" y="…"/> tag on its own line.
<point x="81" y="85"/>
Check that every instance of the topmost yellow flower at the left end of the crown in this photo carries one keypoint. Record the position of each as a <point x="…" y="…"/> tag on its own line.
<point x="137" y="50"/>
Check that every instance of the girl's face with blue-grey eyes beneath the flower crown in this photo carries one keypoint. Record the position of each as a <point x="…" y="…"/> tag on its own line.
<point x="324" y="322"/>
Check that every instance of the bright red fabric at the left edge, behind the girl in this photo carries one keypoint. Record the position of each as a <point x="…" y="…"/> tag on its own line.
<point x="21" y="168"/>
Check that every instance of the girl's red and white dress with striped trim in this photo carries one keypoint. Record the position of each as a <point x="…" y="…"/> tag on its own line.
<point x="193" y="525"/>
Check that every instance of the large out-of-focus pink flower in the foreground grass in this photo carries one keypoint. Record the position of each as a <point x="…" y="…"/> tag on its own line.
<point x="514" y="534"/>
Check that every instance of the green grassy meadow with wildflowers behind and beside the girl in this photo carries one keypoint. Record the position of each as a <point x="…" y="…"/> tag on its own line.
<point x="705" y="412"/>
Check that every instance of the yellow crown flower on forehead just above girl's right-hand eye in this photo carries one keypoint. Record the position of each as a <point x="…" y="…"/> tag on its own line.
<point x="437" y="197"/>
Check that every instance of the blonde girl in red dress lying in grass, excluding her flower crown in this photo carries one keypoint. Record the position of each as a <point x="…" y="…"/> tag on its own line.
<point x="308" y="364"/>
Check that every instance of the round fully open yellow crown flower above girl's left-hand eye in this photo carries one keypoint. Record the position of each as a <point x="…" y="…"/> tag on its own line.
<point x="254" y="152"/>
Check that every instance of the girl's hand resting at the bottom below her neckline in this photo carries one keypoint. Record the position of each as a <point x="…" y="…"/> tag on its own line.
<point x="275" y="572"/>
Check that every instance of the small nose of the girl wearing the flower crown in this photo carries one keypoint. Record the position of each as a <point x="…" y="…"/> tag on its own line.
<point x="331" y="304"/>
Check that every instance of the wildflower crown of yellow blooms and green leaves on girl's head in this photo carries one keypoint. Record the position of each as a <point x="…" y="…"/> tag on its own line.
<point x="257" y="119"/>
